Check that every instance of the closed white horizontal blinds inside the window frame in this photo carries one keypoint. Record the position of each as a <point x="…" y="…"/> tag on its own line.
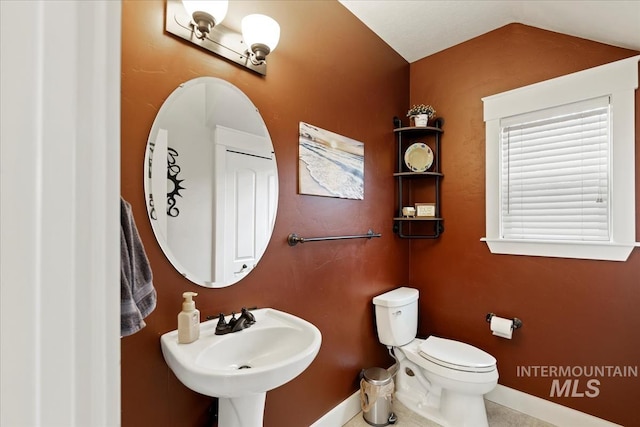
<point x="555" y="173"/>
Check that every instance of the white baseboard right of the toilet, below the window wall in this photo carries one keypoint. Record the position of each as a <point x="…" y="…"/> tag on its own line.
<point x="542" y="409"/>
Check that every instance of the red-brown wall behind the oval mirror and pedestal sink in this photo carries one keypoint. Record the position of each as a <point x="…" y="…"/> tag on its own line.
<point x="328" y="70"/>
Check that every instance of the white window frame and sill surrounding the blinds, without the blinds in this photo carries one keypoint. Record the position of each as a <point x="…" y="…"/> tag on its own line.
<point x="618" y="80"/>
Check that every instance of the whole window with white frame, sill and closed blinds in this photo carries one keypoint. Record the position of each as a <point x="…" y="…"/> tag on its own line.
<point x="560" y="165"/>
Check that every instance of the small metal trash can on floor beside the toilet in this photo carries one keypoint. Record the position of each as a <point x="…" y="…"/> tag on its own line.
<point x="376" y="397"/>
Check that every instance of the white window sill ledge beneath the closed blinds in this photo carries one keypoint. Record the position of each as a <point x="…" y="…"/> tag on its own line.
<point x="606" y="251"/>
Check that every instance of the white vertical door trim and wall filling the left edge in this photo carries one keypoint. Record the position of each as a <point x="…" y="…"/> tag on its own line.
<point x="59" y="223"/>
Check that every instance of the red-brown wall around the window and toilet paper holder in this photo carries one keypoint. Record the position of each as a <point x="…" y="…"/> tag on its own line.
<point x="575" y="312"/>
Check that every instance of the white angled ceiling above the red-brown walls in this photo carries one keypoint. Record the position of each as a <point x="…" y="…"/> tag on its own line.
<point x="419" y="28"/>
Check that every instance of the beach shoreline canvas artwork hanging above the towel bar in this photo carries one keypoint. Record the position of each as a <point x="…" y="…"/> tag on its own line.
<point x="330" y="165"/>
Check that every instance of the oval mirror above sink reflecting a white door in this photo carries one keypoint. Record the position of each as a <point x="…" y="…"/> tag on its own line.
<point x="211" y="182"/>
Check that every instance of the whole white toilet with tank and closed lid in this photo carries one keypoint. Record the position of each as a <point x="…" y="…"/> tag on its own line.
<point x="440" y="379"/>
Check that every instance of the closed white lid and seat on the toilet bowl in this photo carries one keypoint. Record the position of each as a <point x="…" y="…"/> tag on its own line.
<point x="456" y="355"/>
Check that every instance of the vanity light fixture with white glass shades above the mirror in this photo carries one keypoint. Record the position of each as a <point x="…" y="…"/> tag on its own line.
<point x="199" y="22"/>
